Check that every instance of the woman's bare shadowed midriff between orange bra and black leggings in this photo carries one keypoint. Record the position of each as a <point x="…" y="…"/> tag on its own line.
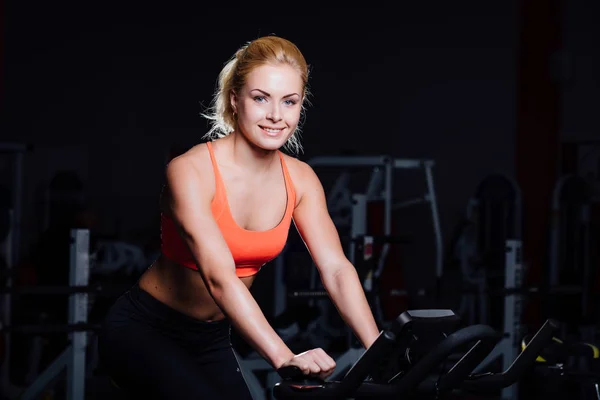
<point x="182" y="289"/>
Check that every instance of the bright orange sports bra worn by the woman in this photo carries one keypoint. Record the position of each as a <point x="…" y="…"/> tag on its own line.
<point x="250" y="249"/>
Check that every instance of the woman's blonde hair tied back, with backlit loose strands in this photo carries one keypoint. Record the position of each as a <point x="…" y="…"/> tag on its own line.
<point x="264" y="50"/>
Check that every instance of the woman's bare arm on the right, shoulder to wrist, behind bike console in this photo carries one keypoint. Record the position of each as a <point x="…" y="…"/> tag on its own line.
<point x="338" y="275"/>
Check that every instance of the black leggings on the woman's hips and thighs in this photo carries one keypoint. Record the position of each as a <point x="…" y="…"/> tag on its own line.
<point x="152" y="351"/>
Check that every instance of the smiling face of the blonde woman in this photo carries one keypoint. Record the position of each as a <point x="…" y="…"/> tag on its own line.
<point x="268" y="106"/>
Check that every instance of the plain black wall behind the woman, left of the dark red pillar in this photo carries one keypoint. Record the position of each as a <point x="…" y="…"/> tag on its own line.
<point x="108" y="91"/>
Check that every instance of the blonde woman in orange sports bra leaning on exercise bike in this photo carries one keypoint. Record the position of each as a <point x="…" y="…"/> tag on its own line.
<point x="226" y="210"/>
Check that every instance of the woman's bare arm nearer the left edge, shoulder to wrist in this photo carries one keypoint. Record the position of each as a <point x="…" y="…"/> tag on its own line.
<point x="190" y="208"/>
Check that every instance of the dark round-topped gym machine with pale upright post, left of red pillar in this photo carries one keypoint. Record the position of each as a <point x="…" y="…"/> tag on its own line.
<point x="489" y="250"/>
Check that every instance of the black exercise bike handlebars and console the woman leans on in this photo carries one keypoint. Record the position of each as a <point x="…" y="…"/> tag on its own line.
<point x="405" y="361"/>
